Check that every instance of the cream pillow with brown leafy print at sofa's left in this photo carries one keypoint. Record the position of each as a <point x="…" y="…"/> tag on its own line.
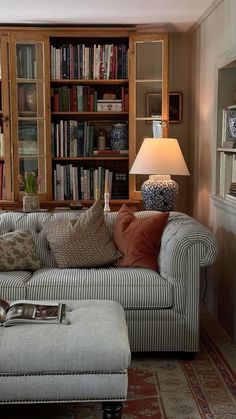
<point x="17" y="252"/>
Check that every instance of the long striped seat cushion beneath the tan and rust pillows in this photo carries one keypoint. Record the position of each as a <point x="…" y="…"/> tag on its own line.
<point x="134" y="288"/>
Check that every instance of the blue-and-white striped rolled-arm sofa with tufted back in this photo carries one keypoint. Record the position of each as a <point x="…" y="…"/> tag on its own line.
<point x="162" y="309"/>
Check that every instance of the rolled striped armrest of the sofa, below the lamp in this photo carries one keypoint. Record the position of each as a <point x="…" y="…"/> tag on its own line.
<point x="185" y="247"/>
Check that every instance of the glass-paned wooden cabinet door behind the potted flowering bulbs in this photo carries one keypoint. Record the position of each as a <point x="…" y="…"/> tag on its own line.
<point x="30" y="128"/>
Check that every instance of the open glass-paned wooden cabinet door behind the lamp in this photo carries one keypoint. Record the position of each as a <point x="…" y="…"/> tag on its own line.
<point x="149" y="95"/>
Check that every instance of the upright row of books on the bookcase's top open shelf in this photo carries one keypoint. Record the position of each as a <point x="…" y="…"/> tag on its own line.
<point x="79" y="61"/>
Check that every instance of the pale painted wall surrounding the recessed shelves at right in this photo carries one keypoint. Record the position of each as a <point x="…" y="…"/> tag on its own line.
<point x="212" y="40"/>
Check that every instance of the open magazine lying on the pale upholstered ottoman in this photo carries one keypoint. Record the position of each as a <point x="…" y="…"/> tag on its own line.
<point x="26" y="311"/>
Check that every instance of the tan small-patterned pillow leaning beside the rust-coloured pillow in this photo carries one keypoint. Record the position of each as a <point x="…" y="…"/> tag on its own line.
<point x="83" y="242"/>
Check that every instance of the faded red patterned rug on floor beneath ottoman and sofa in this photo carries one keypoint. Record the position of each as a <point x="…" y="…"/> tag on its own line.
<point x="162" y="386"/>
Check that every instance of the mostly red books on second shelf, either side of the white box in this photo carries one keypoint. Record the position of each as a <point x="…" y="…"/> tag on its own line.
<point x="77" y="98"/>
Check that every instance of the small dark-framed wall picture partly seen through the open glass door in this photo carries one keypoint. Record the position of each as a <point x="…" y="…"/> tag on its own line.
<point x="154" y="107"/>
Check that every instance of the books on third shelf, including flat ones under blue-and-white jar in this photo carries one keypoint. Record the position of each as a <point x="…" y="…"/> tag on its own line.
<point x="77" y="139"/>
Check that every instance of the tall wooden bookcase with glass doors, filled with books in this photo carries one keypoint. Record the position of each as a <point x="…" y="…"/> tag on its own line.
<point x="56" y="79"/>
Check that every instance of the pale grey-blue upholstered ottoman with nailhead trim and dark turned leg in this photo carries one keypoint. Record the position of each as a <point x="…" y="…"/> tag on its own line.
<point x="85" y="360"/>
